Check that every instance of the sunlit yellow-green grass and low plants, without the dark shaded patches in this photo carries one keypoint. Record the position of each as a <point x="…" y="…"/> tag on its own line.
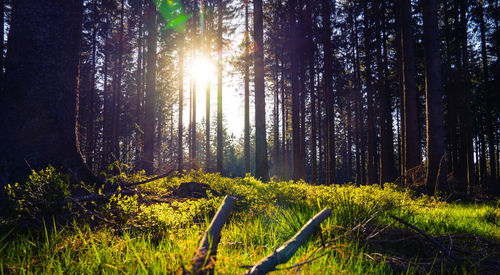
<point x="166" y="230"/>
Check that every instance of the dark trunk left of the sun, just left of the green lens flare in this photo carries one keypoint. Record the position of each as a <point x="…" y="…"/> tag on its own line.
<point x="151" y="95"/>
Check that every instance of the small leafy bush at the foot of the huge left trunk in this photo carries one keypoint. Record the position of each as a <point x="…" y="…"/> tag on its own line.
<point x="40" y="195"/>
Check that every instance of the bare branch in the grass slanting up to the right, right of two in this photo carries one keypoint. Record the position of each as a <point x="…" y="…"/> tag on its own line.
<point x="286" y="251"/>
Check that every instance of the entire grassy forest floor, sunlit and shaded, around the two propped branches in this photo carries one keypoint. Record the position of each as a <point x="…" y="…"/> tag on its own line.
<point x="156" y="228"/>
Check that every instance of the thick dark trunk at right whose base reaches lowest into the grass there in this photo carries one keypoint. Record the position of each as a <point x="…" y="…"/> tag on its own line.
<point x="436" y="162"/>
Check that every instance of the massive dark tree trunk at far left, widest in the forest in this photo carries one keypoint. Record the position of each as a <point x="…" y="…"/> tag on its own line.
<point x="39" y="109"/>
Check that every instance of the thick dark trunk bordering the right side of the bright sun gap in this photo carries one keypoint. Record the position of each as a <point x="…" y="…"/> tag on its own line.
<point x="261" y="165"/>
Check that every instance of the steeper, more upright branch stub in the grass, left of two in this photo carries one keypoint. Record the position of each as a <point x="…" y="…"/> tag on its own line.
<point x="205" y="254"/>
